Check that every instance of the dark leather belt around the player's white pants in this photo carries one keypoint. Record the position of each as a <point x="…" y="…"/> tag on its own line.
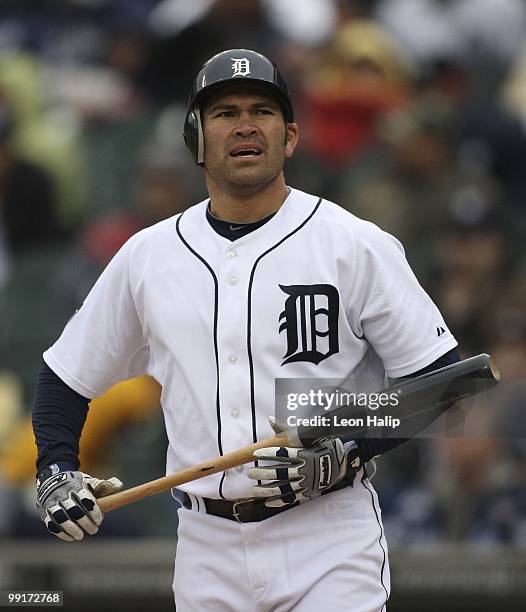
<point x="249" y="510"/>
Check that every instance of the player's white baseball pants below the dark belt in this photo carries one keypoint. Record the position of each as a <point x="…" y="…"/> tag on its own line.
<point x="327" y="554"/>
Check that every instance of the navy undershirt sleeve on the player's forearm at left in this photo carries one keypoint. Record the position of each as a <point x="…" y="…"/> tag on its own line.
<point x="59" y="414"/>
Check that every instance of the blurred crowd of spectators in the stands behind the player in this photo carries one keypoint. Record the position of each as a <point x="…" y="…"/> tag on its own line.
<point x="412" y="115"/>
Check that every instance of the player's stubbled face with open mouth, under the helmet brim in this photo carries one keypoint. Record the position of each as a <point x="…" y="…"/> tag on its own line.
<point x="246" y="138"/>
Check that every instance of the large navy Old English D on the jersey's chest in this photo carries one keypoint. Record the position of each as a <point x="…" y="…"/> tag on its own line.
<point x="310" y="320"/>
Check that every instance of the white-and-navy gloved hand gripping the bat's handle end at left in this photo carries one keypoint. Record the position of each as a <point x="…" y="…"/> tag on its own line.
<point x="67" y="502"/>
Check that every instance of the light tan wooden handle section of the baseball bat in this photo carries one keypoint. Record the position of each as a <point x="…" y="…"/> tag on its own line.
<point x="218" y="464"/>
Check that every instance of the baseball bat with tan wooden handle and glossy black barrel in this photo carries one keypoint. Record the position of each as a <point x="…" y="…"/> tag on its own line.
<point x="427" y="394"/>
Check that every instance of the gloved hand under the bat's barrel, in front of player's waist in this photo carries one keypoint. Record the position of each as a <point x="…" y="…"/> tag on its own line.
<point x="299" y="474"/>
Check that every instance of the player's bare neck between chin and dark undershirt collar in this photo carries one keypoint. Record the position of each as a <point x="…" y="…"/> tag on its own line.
<point x="249" y="207"/>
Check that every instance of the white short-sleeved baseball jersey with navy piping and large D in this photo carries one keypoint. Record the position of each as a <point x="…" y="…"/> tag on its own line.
<point x="313" y="293"/>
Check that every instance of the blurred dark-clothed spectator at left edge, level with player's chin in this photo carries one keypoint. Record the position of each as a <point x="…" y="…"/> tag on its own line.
<point x="28" y="216"/>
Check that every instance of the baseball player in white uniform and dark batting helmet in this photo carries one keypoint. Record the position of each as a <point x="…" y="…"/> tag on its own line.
<point x="260" y="281"/>
